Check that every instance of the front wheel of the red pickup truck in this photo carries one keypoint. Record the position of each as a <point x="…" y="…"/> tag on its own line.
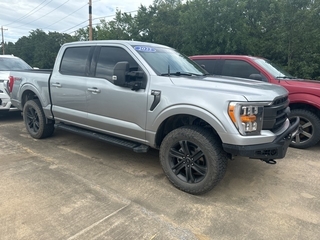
<point x="309" y="132"/>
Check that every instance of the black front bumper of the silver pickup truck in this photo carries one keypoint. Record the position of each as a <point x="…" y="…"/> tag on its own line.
<point x="274" y="150"/>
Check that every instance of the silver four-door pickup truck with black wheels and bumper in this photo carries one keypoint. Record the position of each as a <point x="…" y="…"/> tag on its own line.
<point x="141" y="95"/>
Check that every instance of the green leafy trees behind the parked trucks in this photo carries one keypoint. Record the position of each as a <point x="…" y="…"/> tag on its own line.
<point x="285" y="31"/>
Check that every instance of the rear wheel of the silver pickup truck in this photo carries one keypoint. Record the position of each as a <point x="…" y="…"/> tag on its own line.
<point x="35" y="120"/>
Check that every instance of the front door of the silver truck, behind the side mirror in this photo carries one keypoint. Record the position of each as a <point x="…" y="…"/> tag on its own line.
<point x="114" y="109"/>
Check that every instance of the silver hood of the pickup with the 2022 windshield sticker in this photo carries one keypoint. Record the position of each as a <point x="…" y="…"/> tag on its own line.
<point x="237" y="88"/>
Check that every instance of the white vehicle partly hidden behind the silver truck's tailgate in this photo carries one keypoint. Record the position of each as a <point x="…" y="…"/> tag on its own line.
<point x="8" y="63"/>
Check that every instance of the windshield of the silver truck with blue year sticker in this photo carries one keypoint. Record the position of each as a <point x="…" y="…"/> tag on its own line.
<point x="166" y="61"/>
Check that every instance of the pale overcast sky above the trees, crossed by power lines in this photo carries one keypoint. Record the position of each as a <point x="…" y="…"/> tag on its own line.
<point x="19" y="17"/>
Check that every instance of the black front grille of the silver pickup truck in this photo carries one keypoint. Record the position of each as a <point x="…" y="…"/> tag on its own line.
<point x="276" y="114"/>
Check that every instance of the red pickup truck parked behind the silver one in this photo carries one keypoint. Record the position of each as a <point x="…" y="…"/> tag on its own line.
<point x="304" y="94"/>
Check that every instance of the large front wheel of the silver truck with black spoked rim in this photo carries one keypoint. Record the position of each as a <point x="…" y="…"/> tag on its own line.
<point x="193" y="159"/>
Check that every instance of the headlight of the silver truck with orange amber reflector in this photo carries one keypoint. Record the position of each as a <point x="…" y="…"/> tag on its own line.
<point x="247" y="117"/>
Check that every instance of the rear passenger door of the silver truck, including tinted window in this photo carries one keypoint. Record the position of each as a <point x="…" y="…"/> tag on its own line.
<point x="69" y="85"/>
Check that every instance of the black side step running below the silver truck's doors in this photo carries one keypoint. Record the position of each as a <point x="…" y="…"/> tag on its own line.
<point x="136" y="147"/>
